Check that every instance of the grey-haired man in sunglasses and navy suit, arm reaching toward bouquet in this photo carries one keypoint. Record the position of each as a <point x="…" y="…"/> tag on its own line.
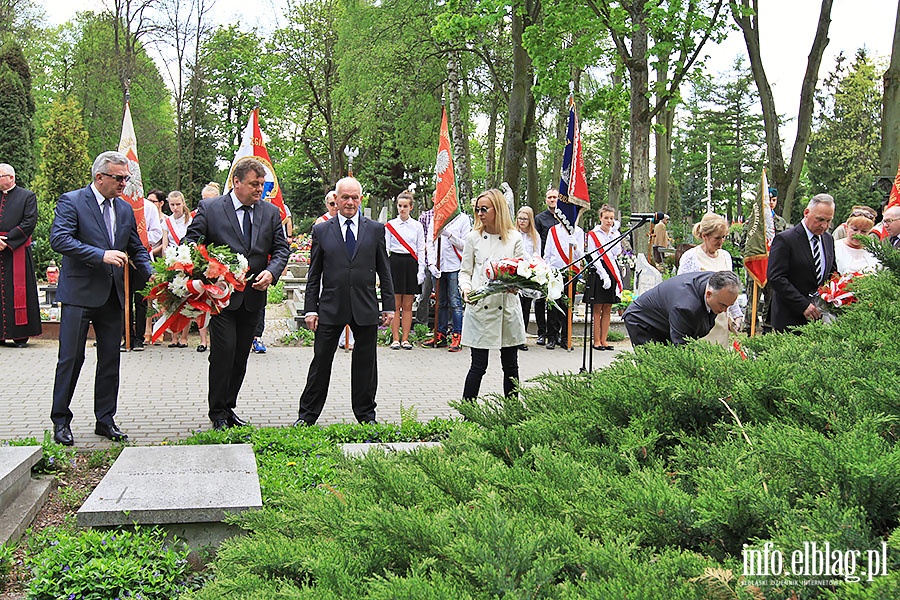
<point x="95" y="231"/>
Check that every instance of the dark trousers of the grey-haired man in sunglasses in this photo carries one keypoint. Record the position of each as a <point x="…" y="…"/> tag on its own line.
<point x="73" y="327"/>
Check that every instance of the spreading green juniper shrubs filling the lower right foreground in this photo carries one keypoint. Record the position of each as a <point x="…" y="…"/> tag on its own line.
<point x="649" y="479"/>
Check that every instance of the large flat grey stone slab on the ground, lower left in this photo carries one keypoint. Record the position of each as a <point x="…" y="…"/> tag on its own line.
<point x="174" y="484"/>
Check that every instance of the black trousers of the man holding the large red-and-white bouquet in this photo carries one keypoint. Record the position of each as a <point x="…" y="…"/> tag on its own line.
<point x="232" y="331"/>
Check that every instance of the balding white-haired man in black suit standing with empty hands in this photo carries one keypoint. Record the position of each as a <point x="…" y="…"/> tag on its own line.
<point x="347" y="252"/>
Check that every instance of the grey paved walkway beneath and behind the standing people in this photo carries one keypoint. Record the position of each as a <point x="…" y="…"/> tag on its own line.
<point x="162" y="394"/>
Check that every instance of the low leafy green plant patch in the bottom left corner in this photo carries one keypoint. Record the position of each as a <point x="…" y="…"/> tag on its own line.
<point x="90" y="563"/>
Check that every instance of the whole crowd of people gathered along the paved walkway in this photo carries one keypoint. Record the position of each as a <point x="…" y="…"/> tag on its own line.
<point x="364" y="274"/>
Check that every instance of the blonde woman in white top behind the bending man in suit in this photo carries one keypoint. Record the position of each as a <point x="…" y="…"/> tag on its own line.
<point x="709" y="256"/>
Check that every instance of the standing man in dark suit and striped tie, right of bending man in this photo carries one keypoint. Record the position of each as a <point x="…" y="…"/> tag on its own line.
<point x="800" y="260"/>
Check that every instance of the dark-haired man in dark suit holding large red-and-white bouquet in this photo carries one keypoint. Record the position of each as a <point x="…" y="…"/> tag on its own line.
<point x="252" y="228"/>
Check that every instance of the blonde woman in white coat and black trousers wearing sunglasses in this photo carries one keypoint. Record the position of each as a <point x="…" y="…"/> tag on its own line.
<point x="496" y="321"/>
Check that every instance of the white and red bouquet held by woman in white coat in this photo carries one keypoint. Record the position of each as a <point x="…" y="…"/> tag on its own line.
<point x="530" y="277"/>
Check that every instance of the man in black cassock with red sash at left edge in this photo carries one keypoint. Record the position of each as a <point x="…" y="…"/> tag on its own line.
<point x="20" y="313"/>
